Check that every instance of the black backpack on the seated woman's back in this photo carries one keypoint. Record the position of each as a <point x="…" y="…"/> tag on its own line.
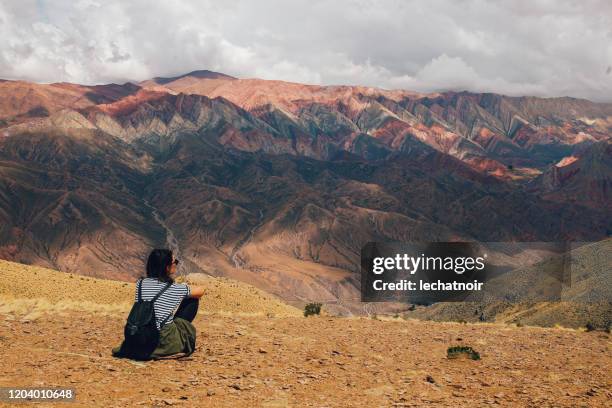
<point x="141" y="333"/>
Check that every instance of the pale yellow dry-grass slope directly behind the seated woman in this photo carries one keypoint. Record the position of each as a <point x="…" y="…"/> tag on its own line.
<point x="27" y="292"/>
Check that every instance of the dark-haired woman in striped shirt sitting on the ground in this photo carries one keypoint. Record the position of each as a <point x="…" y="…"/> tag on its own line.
<point x="176" y="333"/>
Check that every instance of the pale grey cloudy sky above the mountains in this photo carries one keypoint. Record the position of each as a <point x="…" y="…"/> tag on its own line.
<point x="535" y="47"/>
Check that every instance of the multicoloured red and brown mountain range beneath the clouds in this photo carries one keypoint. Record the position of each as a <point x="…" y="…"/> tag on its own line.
<point x="280" y="184"/>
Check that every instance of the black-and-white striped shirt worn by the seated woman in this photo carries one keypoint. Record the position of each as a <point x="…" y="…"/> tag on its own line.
<point x="168" y="302"/>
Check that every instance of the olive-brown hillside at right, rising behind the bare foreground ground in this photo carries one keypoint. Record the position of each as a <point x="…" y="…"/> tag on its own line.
<point x="586" y="297"/>
